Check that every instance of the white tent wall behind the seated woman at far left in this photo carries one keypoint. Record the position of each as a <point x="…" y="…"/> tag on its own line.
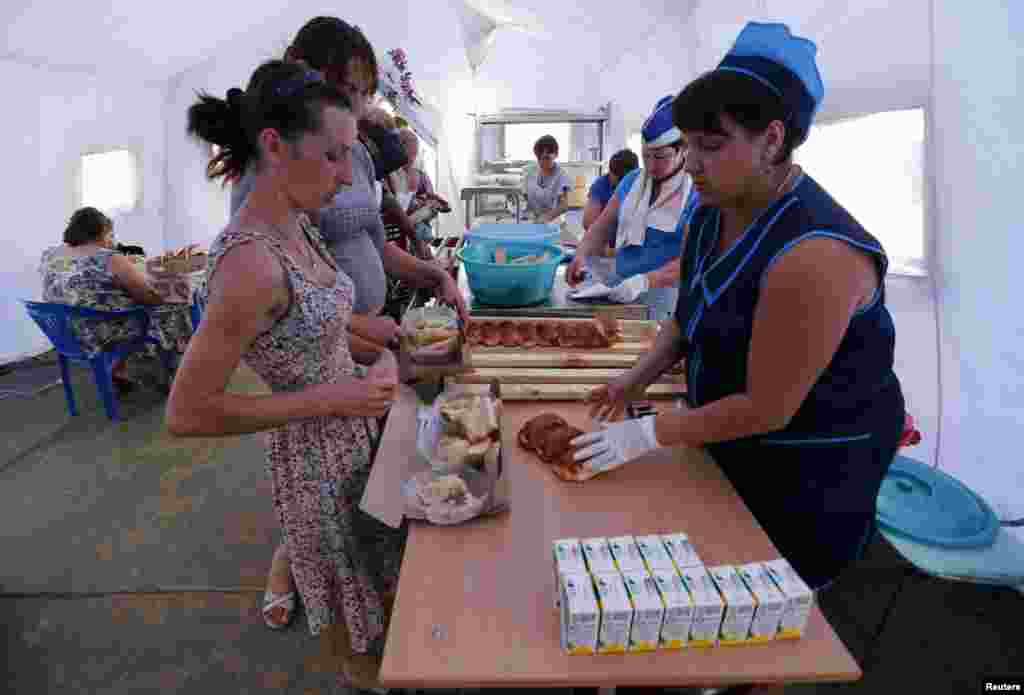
<point x="59" y="116"/>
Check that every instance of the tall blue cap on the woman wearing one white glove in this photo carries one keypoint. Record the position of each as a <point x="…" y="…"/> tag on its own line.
<point x="782" y="62"/>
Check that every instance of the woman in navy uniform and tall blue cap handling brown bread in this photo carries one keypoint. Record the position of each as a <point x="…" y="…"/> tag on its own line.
<point x="782" y="319"/>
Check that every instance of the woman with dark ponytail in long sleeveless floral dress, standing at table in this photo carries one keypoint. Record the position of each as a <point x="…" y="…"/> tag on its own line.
<point x="275" y="297"/>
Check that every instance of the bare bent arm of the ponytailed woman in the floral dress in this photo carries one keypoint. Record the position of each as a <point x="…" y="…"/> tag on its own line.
<point x="247" y="295"/>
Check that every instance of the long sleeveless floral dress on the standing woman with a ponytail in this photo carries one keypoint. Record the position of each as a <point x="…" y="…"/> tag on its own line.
<point x="344" y="561"/>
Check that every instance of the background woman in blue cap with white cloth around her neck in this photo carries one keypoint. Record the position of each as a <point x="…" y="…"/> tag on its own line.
<point x="645" y="219"/>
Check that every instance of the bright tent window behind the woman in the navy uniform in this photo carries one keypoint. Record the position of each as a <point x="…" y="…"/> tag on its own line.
<point x="874" y="167"/>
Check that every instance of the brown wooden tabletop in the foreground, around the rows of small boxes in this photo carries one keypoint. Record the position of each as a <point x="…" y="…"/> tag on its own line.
<point x="475" y="603"/>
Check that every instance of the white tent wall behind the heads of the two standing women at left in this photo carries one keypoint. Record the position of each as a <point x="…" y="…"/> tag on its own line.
<point x="429" y="33"/>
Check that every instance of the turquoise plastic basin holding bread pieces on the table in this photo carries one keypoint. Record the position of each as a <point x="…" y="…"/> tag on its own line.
<point x="510" y="284"/>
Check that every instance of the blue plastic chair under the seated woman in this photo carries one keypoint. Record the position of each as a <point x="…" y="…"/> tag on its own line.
<point x="56" y="321"/>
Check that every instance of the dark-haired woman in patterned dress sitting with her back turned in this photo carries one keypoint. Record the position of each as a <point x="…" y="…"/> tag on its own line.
<point x="88" y="272"/>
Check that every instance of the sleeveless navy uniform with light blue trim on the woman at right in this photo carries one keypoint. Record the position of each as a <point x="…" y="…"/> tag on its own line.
<point x="814" y="485"/>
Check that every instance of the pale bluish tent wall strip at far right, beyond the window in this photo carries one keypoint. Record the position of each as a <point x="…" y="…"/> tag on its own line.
<point x="978" y="71"/>
